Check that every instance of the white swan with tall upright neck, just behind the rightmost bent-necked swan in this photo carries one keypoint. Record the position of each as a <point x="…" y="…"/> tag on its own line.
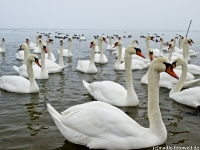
<point x="193" y="69"/>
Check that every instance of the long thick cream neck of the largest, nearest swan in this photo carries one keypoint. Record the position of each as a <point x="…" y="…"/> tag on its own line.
<point x="155" y="119"/>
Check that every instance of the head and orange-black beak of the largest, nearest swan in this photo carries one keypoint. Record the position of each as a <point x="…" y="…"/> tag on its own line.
<point x="162" y="65"/>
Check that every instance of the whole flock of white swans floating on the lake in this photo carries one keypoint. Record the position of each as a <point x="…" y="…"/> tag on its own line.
<point x="99" y="124"/>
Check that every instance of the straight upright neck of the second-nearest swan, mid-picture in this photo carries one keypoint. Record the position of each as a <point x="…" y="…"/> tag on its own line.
<point x="129" y="81"/>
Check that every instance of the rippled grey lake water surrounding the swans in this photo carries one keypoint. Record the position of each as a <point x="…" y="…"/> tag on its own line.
<point x="25" y="123"/>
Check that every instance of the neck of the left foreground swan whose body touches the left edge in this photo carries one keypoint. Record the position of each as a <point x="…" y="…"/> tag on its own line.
<point x="30" y="73"/>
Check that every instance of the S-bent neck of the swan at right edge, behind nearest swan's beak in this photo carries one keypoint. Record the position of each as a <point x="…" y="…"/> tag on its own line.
<point x="177" y="88"/>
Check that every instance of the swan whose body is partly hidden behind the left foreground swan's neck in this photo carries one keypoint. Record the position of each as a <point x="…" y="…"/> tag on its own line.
<point x="39" y="73"/>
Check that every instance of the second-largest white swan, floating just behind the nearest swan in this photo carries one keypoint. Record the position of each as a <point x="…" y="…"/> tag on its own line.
<point x="112" y="92"/>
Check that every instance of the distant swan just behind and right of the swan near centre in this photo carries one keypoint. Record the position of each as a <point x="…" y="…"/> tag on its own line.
<point x="100" y="58"/>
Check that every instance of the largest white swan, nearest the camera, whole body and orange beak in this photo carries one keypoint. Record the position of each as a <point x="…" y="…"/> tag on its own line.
<point x="99" y="125"/>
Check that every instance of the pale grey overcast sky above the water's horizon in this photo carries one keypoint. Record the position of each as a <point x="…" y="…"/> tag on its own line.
<point x="100" y="14"/>
